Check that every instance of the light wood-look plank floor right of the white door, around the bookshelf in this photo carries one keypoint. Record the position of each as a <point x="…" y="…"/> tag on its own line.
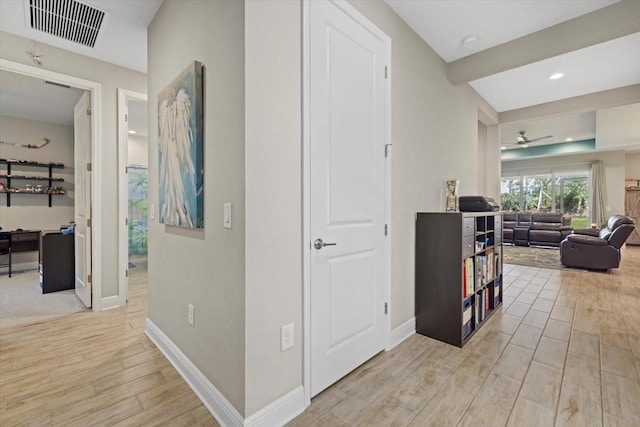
<point x="564" y="350"/>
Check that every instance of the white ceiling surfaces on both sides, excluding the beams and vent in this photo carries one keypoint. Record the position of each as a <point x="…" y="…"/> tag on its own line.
<point x="443" y="24"/>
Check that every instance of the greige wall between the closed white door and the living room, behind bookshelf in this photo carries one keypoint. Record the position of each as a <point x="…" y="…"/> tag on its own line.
<point x="435" y="138"/>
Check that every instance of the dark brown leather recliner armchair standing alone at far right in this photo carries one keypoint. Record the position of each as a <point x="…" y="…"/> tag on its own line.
<point x="599" y="252"/>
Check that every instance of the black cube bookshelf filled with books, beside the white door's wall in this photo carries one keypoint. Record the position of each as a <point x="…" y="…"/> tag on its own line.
<point x="458" y="273"/>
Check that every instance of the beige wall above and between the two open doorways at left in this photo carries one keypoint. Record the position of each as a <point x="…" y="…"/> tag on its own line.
<point x="110" y="77"/>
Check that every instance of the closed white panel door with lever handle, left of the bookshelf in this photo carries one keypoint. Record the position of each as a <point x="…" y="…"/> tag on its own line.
<point x="348" y="124"/>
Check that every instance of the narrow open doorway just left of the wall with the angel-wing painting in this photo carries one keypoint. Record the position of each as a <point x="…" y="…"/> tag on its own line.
<point x="133" y="189"/>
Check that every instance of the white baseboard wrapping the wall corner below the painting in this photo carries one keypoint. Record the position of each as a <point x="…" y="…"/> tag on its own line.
<point x="277" y="413"/>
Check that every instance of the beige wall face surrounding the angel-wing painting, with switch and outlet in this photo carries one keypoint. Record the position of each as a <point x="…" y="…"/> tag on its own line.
<point x="203" y="267"/>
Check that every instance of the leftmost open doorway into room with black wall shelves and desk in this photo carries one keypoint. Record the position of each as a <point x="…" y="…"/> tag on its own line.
<point x="38" y="192"/>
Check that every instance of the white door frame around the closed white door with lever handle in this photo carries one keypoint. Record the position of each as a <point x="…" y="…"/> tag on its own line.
<point x="306" y="177"/>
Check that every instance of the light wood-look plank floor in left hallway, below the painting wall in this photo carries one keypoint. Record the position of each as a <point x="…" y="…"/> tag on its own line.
<point x="87" y="369"/>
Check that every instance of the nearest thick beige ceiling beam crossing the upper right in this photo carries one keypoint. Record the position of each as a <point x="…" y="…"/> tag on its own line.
<point x="611" y="22"/>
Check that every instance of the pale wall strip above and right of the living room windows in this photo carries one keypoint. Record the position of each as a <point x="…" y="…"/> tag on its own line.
<point x="614" y="169"/>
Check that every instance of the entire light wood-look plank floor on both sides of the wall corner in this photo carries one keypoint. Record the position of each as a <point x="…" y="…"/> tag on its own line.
<point x="563" y="350"/>
